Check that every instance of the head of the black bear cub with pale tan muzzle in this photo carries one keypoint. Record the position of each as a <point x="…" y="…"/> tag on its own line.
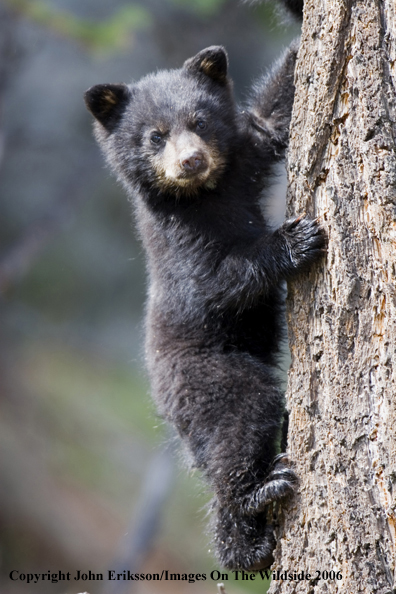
<point x="172" y="131"/>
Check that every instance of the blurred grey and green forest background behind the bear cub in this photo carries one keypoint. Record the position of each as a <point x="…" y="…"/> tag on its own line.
<point x="86" y="480"/>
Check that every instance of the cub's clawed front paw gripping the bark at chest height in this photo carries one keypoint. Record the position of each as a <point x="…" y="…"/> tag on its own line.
<point x="305" y="241"/>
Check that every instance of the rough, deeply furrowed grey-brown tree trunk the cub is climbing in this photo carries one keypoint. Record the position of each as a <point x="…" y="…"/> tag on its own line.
<point x="342" y="315"/>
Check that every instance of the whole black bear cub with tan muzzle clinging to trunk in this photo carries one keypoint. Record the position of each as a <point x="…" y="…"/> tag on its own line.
<point x="196" y="166"/>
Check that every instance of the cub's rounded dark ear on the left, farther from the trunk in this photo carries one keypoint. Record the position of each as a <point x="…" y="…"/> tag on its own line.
<point x="107" y="103"/>
